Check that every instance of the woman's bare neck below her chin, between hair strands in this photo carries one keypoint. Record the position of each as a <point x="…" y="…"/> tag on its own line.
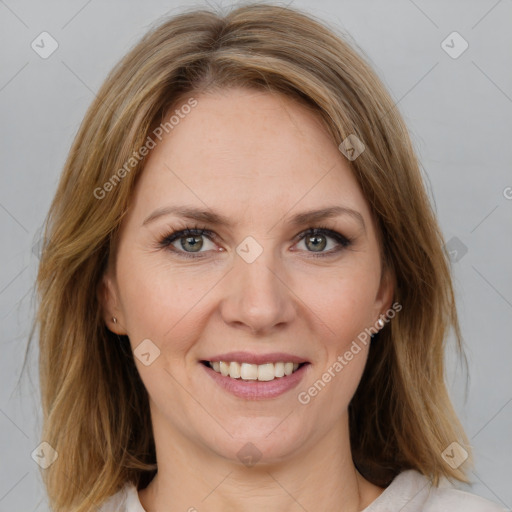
<point x="319" y="477"/>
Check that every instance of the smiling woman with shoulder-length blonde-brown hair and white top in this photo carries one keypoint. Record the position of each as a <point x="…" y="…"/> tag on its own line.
<point x="244" y="292"/>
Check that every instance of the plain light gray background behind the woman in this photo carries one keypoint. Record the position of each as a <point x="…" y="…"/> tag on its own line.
<point x="458" y="111"/>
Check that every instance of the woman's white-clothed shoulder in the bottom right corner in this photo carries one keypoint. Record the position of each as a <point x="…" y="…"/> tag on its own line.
<point x="413" y="492"/>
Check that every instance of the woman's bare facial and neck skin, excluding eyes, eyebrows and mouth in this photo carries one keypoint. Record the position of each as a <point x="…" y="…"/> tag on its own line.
<point x="259" y="159"/>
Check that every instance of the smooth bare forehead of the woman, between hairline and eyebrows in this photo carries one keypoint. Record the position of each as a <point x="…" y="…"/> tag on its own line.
<point x="247" y="152"/>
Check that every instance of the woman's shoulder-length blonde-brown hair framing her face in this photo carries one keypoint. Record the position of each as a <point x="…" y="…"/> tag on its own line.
<point x="95" y="407"/>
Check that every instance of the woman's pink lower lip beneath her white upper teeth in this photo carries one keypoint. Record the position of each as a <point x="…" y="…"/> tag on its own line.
<point x="255" y="389"/>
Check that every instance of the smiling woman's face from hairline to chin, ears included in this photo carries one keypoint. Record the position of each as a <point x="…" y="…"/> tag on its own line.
<point x="256" y="287"/>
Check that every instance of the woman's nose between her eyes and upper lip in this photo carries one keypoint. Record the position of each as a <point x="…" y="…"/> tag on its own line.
<point x="257" y="295"/>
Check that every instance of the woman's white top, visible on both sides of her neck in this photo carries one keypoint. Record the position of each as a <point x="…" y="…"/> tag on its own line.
<point x="410" y="491"/>
